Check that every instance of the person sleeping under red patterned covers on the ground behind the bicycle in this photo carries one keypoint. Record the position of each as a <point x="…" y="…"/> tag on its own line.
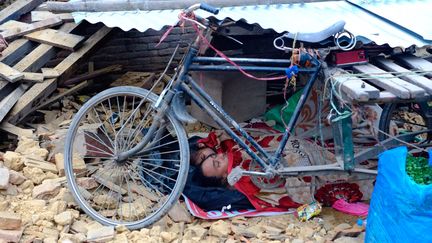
<point x="212" y="159"/>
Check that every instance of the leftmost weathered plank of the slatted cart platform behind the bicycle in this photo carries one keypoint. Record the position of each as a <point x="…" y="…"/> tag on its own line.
<point x="355" y="88"/>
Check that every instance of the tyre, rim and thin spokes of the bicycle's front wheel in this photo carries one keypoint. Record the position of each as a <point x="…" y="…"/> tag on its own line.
<point x="135" y="168"/>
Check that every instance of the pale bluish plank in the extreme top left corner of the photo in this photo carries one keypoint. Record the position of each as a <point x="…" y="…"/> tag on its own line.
<point x="18" y="8"/>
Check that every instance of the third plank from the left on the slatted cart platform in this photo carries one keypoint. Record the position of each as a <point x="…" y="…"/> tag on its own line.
<point x="415" y="79"/>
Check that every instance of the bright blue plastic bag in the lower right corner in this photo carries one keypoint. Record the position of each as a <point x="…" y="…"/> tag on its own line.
<point x="400" y="209"/>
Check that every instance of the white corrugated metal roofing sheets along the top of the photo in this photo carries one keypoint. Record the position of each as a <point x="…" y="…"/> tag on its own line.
<point x="396" y="22"/>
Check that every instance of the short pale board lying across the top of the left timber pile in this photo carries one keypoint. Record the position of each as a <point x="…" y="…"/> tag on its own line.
<point x="56" y="38"/>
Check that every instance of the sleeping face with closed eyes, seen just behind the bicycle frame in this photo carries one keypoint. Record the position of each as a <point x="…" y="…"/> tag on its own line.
<point x="212" y="163"/>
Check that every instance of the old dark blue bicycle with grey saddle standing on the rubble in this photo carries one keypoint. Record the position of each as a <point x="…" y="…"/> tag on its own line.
<point x="135" y="149"/>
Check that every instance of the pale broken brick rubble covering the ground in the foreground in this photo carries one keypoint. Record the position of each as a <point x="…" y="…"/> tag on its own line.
<point x="36" y="206"/>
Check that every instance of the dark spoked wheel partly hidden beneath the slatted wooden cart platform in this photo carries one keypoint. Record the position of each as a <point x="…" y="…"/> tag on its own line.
<point x="402" y="118"/>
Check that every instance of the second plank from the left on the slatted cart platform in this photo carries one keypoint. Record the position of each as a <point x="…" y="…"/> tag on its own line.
<point x="390" y="83"/>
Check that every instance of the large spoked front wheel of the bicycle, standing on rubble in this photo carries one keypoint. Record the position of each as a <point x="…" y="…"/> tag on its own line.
<point x="136" y="191"/>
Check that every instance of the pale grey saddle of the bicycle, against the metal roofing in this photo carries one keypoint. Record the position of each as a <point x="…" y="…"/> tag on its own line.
<point x="318" y="36"/>
